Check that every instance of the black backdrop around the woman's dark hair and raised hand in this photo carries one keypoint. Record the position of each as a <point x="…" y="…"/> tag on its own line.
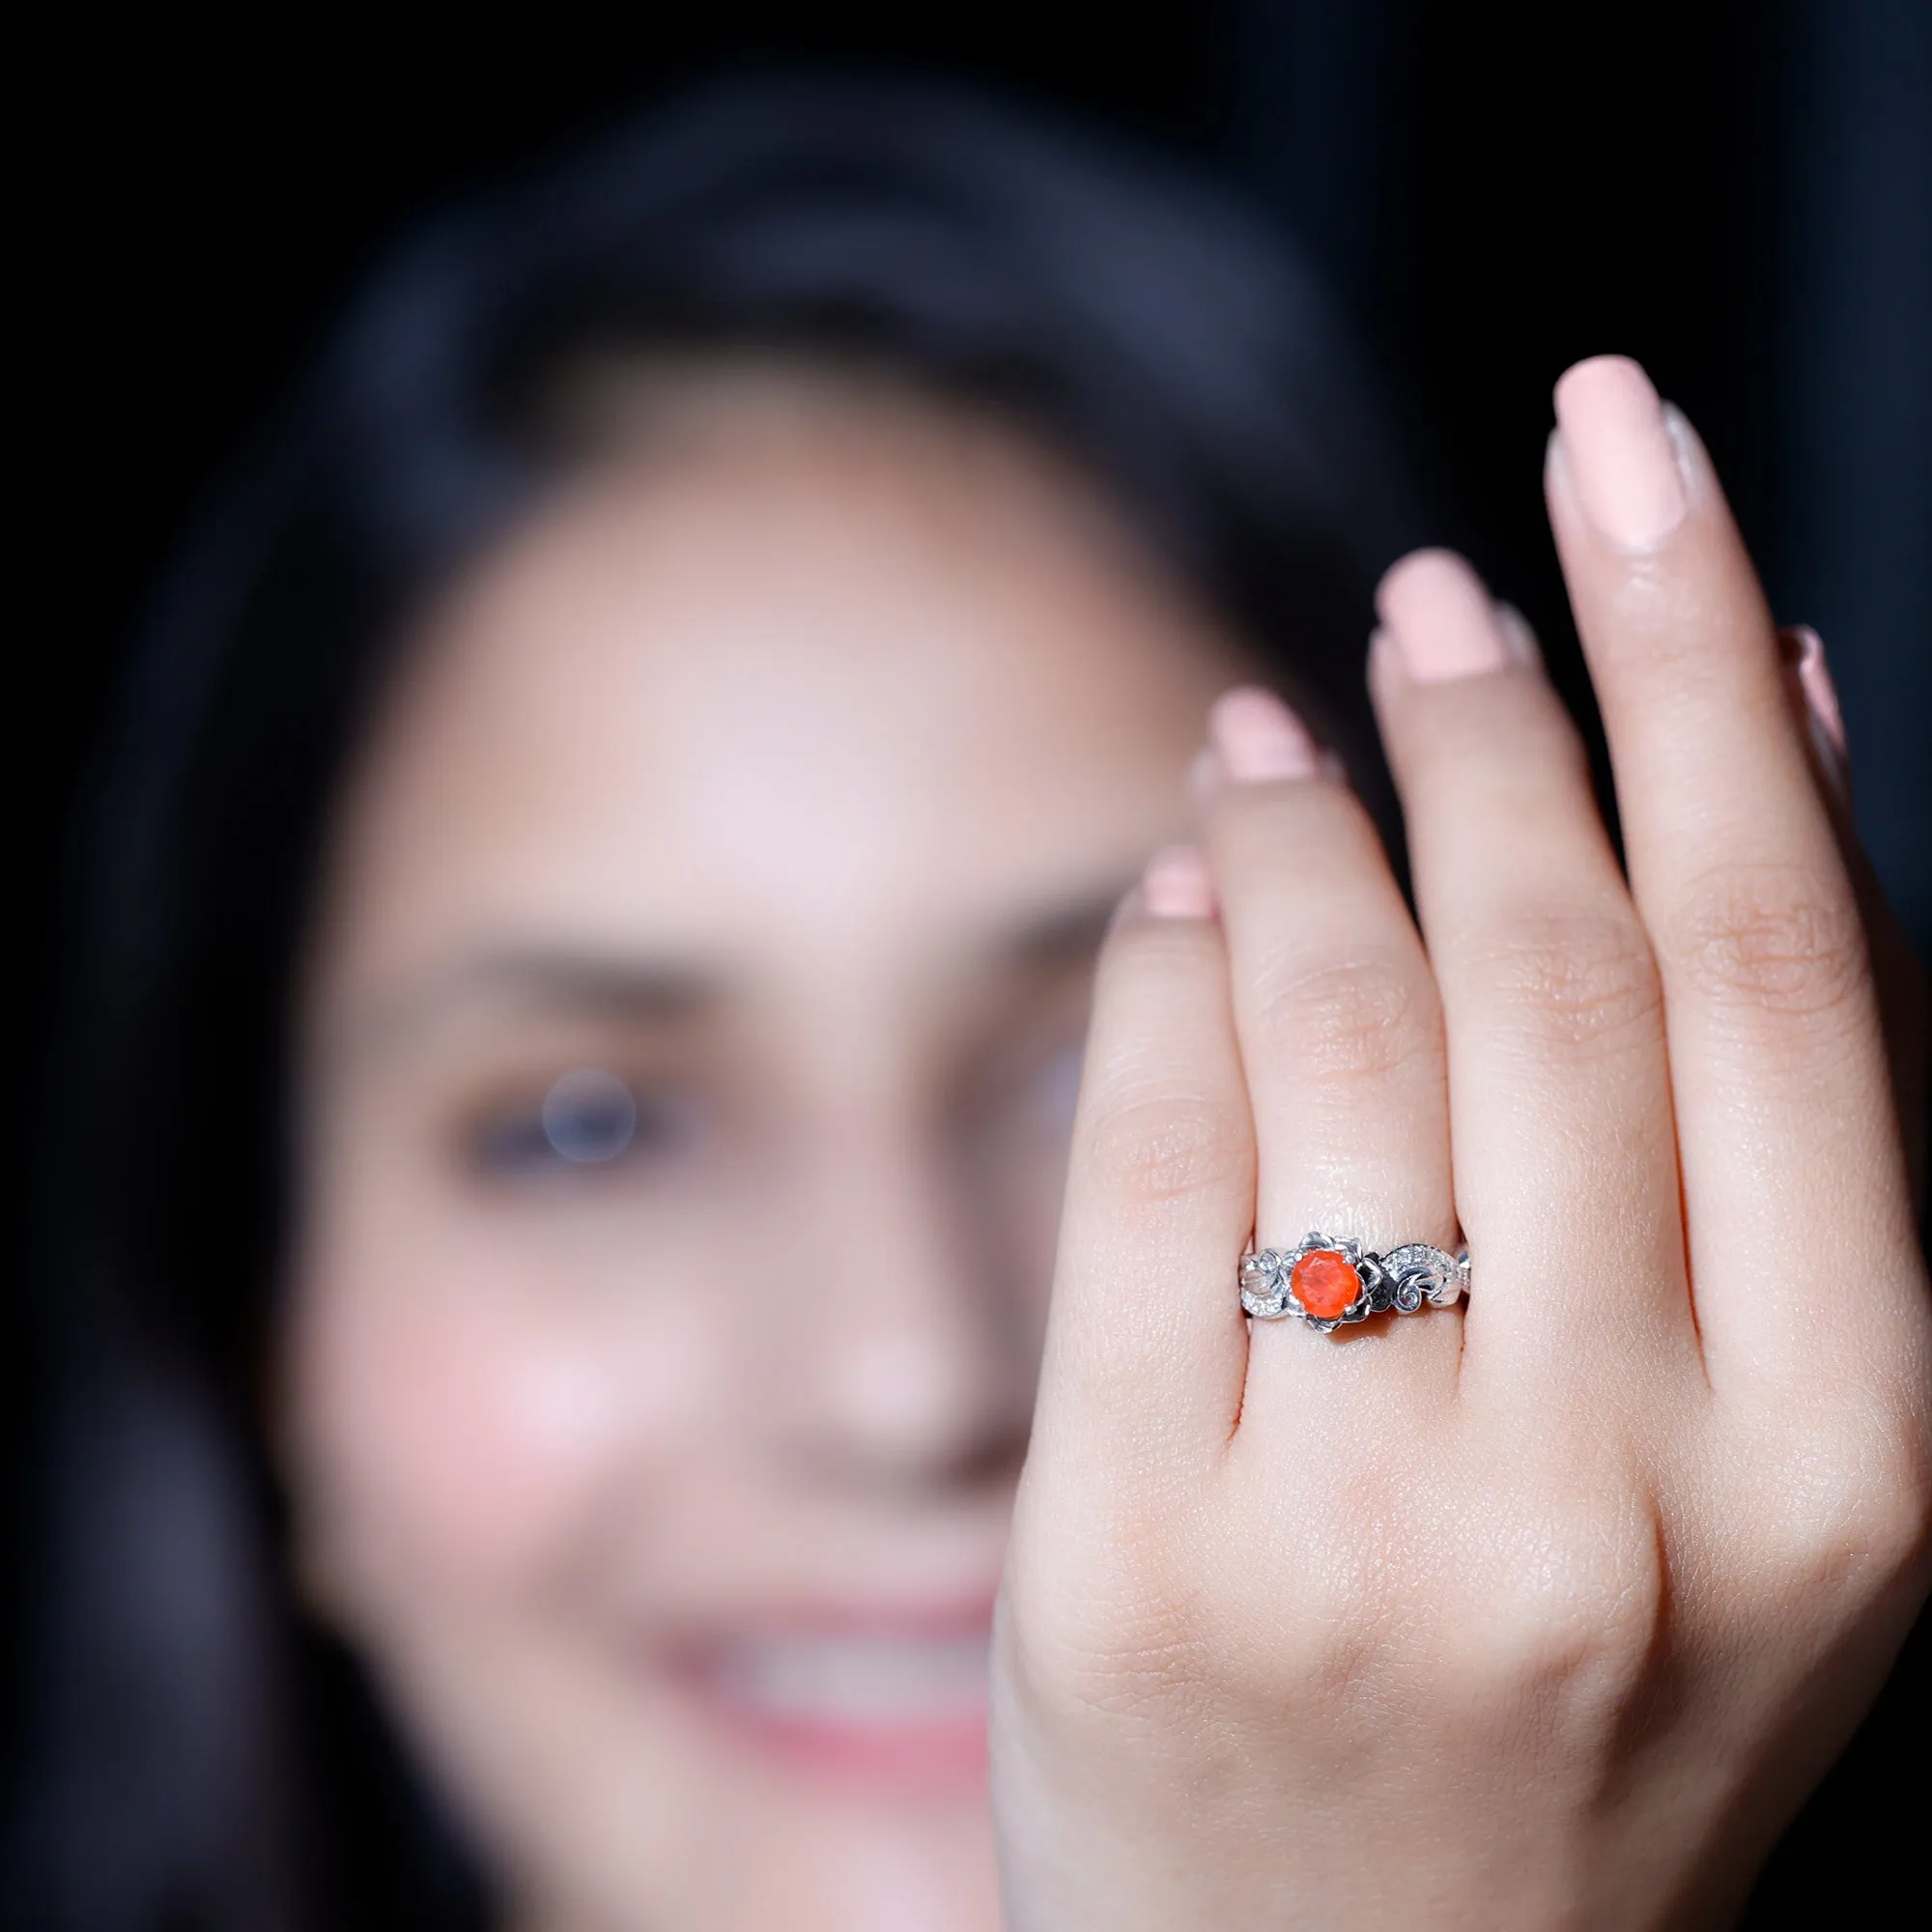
<point x="1738" y="194"/>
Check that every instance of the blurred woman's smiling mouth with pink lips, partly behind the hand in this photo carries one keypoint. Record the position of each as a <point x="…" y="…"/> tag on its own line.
<point x="897" y="1709"/>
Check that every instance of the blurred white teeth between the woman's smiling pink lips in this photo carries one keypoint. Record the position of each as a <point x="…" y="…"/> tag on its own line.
<point x="859" y="1680"/>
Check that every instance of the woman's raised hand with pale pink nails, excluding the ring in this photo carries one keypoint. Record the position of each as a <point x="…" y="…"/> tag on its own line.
<point x="1550" y="1610"/>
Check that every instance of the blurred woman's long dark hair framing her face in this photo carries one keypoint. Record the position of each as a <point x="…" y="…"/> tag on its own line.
<point x="196" y="1753"/>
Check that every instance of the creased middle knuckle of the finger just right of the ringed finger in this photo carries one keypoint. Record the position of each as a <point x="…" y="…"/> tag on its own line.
<point x="1581" y="982"/>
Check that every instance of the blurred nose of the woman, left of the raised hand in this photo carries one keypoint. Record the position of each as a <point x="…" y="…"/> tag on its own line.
<point x="907" y="1363"/>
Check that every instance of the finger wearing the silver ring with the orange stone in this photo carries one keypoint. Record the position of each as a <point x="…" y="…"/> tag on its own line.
<point x="1344" y="1048"/>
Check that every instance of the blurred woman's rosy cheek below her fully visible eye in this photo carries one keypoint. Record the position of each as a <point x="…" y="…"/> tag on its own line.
<point x="461" y="1431"/>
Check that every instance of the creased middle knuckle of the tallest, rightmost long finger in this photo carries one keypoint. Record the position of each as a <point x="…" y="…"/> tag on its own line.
<point x="1771" y="938"/>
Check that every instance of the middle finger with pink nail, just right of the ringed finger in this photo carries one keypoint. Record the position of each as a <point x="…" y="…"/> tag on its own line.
<point x="1562" y="1116"/>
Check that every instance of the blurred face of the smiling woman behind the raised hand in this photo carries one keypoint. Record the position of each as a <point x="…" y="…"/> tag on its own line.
<point x="691" y="1046"/>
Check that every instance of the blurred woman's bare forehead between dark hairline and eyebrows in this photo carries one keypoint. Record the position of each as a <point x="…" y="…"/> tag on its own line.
<point x="814" y="673"/>
